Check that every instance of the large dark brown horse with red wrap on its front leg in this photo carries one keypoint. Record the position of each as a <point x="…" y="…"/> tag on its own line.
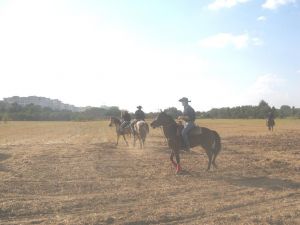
<point x="199" y="136"/>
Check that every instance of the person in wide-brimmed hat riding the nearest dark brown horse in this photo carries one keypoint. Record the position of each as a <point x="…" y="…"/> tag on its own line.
<point x="189" y="116"/>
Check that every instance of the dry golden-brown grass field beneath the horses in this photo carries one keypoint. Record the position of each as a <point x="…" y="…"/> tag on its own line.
<point x="72" y="173"/>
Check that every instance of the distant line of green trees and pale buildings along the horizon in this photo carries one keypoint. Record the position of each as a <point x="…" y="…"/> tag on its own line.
<point x="37" y="113"/>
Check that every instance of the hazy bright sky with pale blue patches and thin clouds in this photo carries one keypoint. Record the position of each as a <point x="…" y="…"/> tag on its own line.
<point x="151" y="53"/>
